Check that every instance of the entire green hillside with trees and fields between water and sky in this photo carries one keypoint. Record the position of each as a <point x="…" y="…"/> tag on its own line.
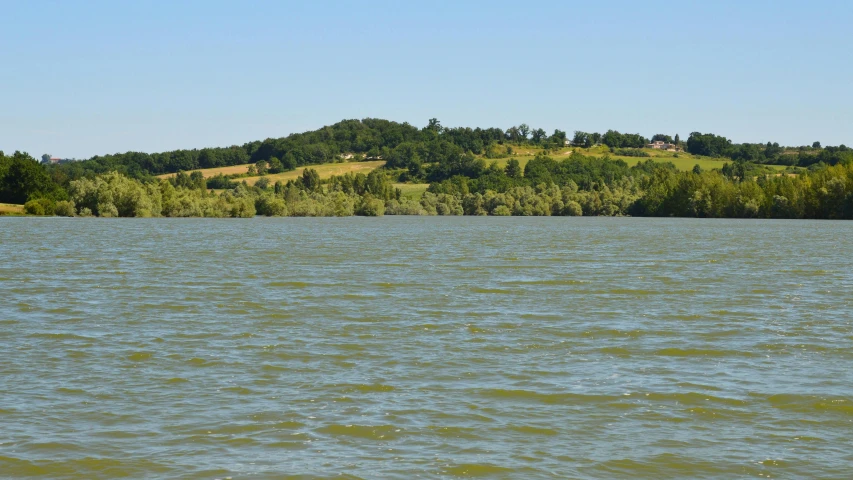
<point x="376" y="167"/>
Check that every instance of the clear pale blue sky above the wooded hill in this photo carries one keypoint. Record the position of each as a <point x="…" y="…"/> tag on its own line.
<point x="80" y="78"/>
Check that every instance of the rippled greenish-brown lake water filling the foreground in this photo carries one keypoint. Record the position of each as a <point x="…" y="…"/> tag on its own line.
<point x="425" y="347"/>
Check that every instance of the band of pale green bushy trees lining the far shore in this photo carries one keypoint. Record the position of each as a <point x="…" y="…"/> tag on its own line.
<point x="649" y="189"/>
